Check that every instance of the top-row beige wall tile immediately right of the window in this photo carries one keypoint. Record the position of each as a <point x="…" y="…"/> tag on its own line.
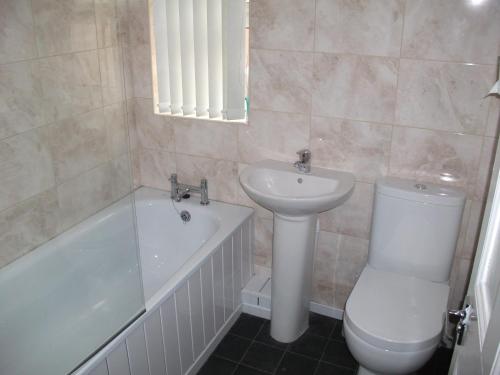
<point x="282" y="24"/>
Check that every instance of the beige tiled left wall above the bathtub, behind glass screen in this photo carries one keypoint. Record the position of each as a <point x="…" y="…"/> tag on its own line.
<point x="64" y="145"/>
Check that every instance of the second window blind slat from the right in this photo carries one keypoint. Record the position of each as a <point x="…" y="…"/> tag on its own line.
<point x="215" y="76"/>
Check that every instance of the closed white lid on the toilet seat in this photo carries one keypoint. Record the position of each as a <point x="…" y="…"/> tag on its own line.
<point x="396" y="312"/>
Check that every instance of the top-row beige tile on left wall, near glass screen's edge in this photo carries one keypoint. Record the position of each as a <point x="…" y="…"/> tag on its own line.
<point x="106" y="23"/>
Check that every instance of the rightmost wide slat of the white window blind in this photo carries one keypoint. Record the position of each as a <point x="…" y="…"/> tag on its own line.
<point x="234" y="59"/>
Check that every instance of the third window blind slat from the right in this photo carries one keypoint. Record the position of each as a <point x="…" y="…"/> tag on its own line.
<point x="201" y="56"/>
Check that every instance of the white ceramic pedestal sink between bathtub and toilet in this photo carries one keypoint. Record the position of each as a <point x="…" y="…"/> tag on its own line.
<point x="296" y="199"/>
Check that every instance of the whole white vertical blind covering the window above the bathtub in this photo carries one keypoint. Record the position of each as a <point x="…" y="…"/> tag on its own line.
<point x="199" y="57"/>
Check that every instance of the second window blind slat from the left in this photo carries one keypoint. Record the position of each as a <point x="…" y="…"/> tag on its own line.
<point x="174" y="55"/>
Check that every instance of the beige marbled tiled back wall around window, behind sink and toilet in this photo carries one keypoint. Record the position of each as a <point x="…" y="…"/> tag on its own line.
<point x="375" y="87"/>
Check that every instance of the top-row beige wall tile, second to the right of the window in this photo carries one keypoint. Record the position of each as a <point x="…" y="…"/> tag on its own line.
<point x="371" y="27"/>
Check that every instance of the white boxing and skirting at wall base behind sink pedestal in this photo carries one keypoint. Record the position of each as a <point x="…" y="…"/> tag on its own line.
<point x="256" y="300"/>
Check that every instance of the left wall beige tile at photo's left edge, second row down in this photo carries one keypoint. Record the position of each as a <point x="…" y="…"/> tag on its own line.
<point x="21" y="106"/>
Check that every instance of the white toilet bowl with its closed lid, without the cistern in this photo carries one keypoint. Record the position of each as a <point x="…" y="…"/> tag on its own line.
<point x="396" y="329"/>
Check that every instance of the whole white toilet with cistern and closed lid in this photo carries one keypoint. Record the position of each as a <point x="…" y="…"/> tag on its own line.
<point x="394" y="316"/>
